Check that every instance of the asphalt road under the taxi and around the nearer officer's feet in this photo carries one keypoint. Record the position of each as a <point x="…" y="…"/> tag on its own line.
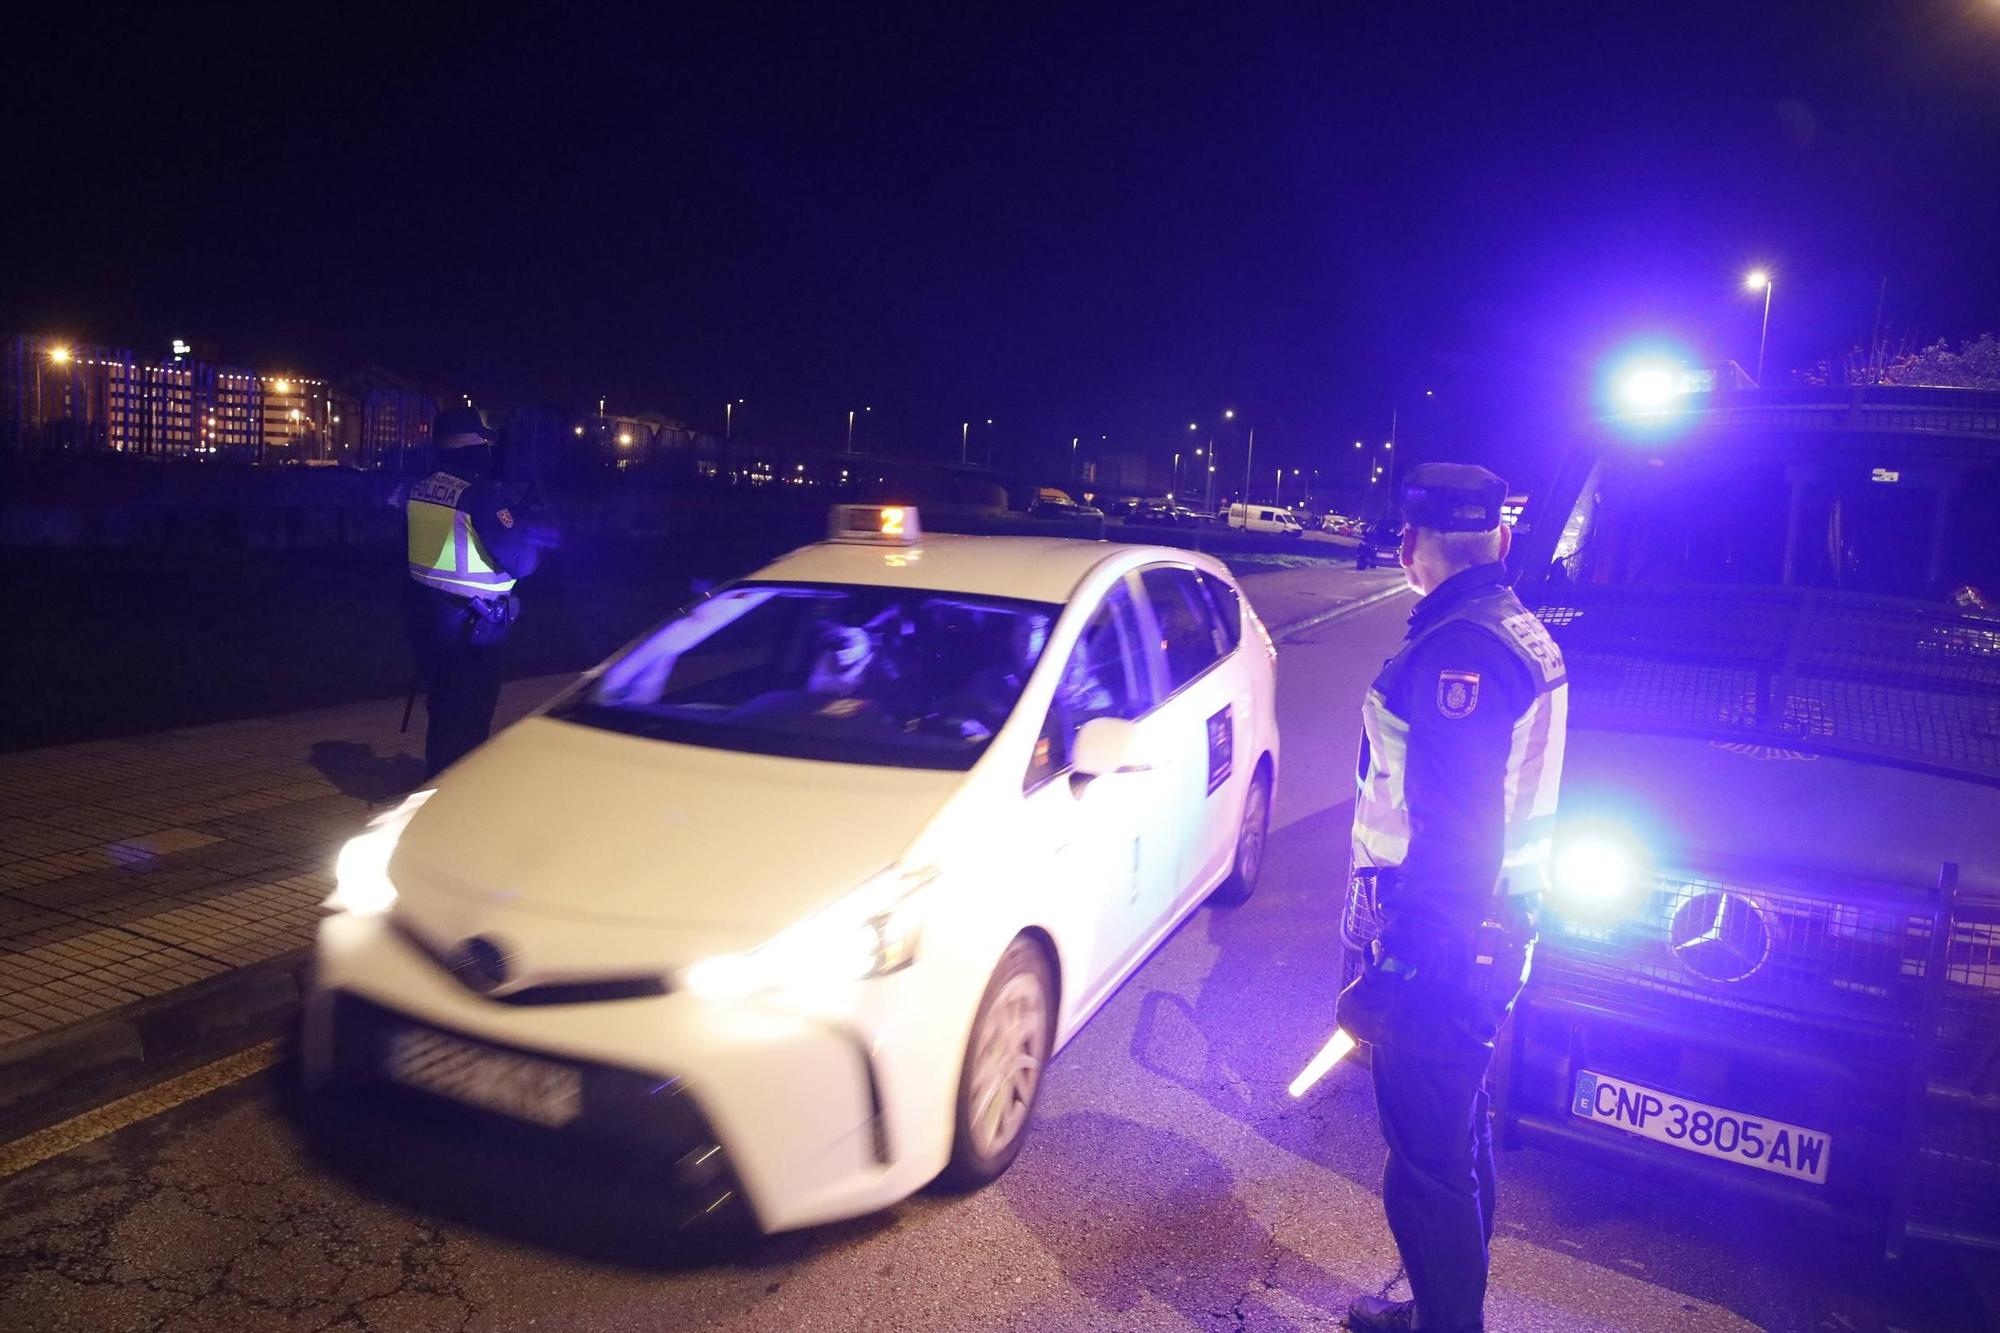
<point x="1171" y="1184"/>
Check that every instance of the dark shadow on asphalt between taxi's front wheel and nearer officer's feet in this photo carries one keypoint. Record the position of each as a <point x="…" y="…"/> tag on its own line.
<point x="1131" y="1212"/>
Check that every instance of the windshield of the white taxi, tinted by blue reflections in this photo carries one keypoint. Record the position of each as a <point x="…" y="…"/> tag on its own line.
<point x="827" y="672"/>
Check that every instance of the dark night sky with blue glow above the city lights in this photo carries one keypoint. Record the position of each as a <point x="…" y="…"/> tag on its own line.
<point x="1095" y="223"/>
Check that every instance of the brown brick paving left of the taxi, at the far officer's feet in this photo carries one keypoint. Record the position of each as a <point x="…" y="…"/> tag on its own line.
<point x="135" y="868"/>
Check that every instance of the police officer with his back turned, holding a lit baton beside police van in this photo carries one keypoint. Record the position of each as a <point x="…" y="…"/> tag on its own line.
<point x="1461" y="760"/>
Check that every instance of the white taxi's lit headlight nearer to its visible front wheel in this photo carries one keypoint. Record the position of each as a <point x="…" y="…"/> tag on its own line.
<point x="869" y="934"/>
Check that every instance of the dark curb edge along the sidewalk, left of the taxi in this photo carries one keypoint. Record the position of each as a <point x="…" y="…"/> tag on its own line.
<point x="53" y="1078"/>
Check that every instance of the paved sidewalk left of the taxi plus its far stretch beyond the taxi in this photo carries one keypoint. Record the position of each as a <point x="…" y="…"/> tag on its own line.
<point x="147" y="882"/>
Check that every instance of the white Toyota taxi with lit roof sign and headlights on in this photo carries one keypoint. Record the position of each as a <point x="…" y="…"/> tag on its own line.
<point x="797" y="896"/>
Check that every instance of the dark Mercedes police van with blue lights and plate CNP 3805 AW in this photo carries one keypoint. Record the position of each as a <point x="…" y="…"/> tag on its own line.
<point x="1771" y="952"/>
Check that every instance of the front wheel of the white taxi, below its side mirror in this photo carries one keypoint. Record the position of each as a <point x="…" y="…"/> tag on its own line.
<point x="1003" y="1070"/>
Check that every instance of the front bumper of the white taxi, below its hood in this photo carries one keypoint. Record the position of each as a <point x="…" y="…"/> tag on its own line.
<point x="799" y="1104"/>
